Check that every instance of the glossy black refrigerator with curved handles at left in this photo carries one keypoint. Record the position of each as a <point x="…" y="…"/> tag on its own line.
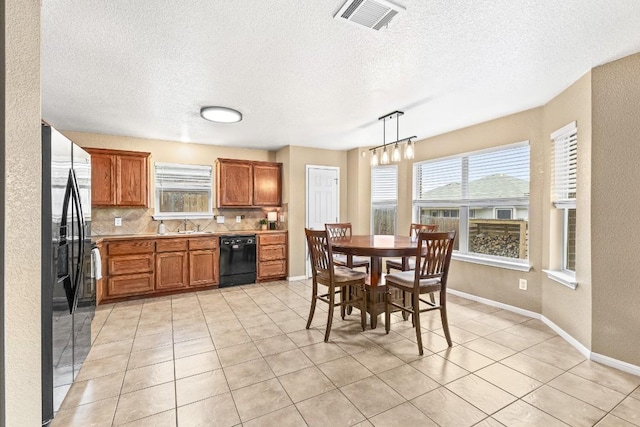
<point x="68" y="290"/>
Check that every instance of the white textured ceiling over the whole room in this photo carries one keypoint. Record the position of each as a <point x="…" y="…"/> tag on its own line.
<point x="144" y="68"/>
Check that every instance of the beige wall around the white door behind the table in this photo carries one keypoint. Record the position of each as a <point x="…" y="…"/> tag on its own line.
<point x="295" y="160"/>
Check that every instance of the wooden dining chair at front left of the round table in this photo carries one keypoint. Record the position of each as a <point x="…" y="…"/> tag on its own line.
<point x="338" y="279"/>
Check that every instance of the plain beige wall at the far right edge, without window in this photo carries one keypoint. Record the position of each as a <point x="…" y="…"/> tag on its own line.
<point x="615" y="209"/>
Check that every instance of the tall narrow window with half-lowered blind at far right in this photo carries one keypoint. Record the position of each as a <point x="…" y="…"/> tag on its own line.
<point x="565" y="148"/>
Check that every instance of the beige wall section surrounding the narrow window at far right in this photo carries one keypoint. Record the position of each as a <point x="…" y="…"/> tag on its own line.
<point x="569" y="309"/>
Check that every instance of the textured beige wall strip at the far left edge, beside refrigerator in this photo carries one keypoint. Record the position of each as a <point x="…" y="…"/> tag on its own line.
<point x="22" y="155"/>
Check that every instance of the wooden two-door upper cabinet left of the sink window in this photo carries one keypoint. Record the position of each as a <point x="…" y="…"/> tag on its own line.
<point x="119" y="178"/>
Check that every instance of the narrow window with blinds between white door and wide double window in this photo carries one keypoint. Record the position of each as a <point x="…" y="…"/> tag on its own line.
<point x="384" y="199"/>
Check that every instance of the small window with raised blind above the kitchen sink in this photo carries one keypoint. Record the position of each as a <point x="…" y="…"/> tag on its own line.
<point x="183" y="191"/>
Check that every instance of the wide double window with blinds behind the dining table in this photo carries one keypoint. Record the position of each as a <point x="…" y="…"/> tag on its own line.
<point x="484" y="196"/>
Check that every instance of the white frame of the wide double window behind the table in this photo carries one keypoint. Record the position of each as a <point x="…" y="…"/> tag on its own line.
<point x="464" y="206"/>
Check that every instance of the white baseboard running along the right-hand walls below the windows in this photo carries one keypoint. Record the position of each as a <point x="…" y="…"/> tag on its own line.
<point x="599" y="358"/>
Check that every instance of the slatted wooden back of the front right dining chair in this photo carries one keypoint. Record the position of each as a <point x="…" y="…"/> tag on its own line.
<point x="433" y="256"/>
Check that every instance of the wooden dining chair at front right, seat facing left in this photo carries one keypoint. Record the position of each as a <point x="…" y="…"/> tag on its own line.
<point x="433" y="256"/>
